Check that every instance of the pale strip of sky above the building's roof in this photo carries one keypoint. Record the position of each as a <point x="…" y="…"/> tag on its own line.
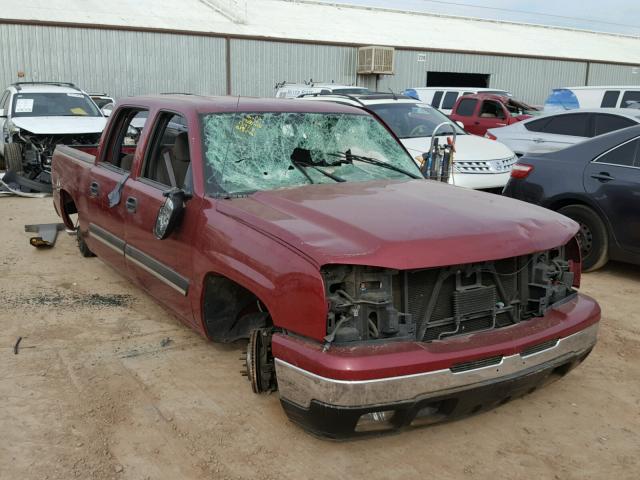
<point x="616" y="16"/>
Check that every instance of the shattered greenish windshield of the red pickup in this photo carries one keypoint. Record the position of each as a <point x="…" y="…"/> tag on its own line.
<point x="246" y="152"/>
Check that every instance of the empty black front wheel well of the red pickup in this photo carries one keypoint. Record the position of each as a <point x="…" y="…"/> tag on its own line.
<point x="231" y="311"/>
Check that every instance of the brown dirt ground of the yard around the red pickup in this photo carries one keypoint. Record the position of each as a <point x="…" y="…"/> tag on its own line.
<point x="109" y="385"/>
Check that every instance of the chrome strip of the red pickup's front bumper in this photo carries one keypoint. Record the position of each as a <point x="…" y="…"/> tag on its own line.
<point x="301" y="387"/>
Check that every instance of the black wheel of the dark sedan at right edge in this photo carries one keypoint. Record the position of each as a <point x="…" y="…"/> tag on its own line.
<point x="592" y="237"/>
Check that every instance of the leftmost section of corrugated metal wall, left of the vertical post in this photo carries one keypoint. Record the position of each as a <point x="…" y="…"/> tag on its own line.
<point x="120" y="63"/>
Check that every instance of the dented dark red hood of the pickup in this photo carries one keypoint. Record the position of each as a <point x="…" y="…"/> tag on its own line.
<point x="402" y="225"/>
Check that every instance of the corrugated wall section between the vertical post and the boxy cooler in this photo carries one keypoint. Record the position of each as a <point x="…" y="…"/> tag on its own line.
<point x="256" y="66"/>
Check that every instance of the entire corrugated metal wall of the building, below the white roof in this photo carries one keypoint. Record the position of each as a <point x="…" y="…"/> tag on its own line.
<point x="125" y="63"/>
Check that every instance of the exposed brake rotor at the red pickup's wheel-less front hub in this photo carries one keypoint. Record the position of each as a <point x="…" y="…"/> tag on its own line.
<point x="259" y="365"/>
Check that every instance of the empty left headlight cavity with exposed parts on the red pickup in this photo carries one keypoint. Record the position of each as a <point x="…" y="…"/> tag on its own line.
<point x="364" y="304"/>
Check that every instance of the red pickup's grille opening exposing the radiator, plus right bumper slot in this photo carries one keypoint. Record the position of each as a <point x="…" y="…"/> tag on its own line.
<point x="463" y="299"/>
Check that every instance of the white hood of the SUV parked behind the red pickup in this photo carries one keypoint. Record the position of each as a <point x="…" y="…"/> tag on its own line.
<point x="468" y="148"/>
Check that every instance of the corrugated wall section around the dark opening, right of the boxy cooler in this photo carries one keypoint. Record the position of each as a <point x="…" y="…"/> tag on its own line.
<point x="527" y="78"/>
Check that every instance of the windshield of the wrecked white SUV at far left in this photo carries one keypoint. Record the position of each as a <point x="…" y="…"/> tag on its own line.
<point x="54" y="105"/>
